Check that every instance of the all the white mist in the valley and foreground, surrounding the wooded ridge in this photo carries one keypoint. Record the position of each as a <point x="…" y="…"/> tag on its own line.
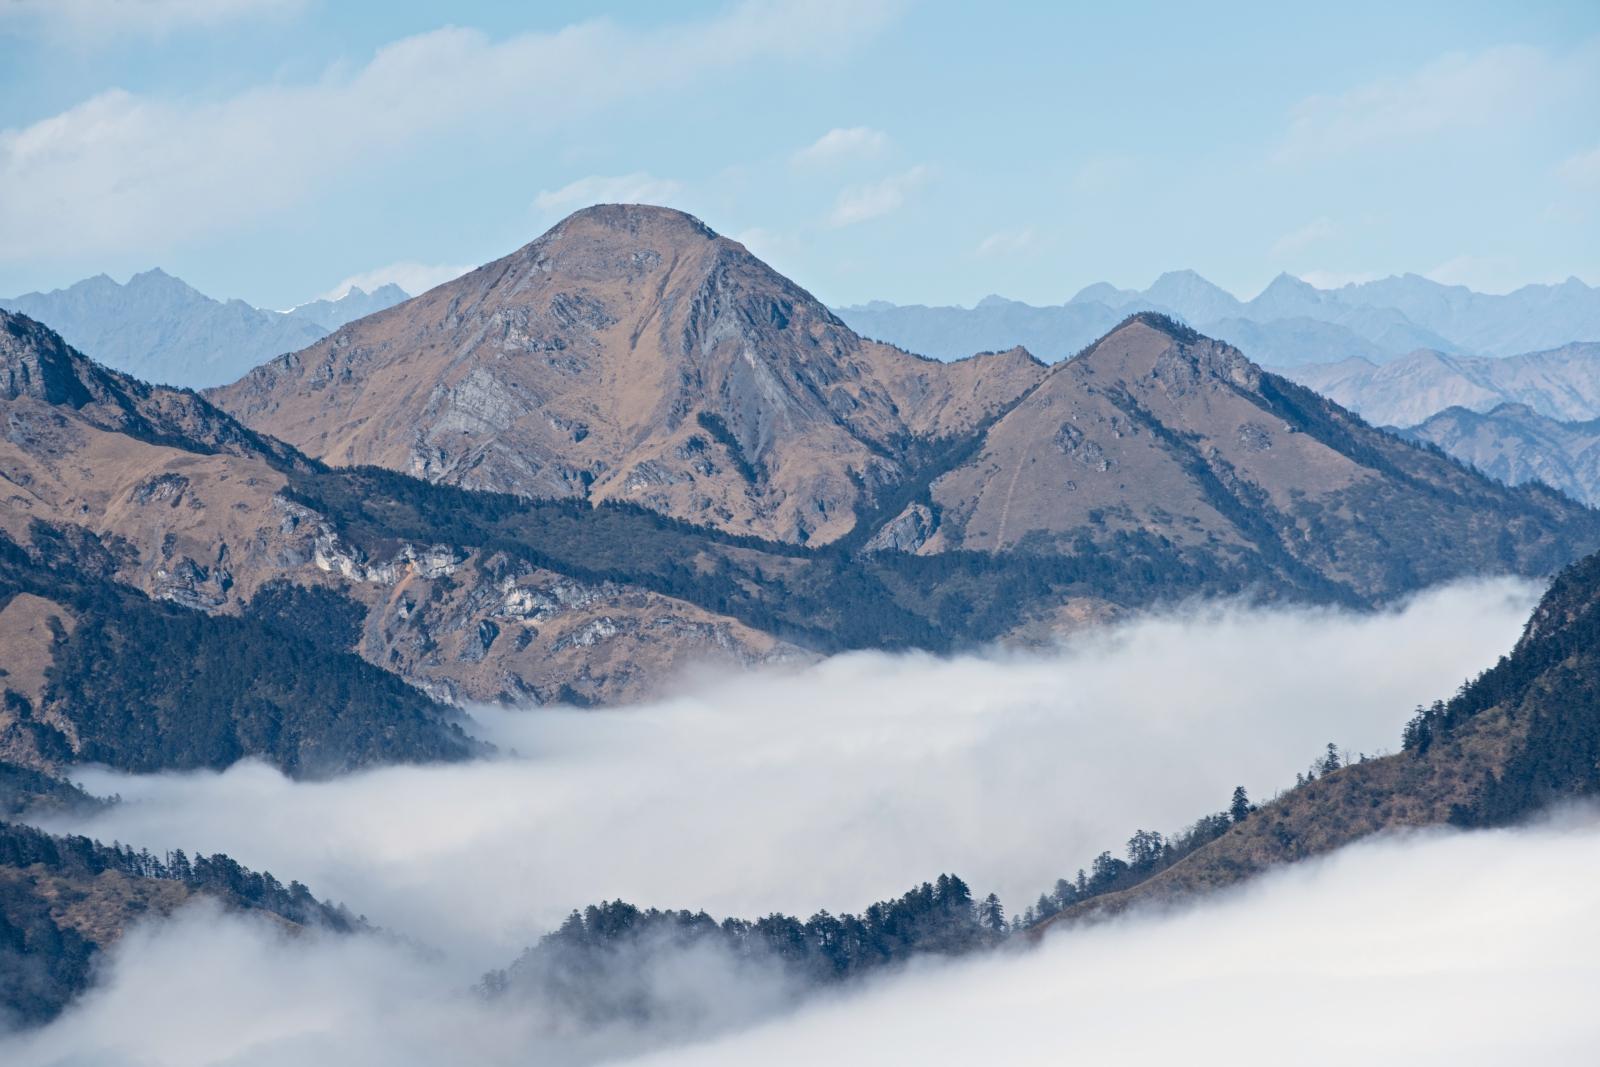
<point x="833" y="786"/>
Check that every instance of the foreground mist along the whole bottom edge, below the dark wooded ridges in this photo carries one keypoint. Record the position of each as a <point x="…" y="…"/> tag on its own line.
<point x="1446" y="948"/>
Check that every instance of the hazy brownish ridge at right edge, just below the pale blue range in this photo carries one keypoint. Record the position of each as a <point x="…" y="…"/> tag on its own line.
<point x="1559" y="385"/>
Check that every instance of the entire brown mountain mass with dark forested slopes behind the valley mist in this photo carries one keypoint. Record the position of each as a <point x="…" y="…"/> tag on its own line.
<point x="631" y="447"/>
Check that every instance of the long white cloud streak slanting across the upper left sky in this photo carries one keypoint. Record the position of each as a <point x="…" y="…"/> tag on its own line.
<point x="127" y="172"/>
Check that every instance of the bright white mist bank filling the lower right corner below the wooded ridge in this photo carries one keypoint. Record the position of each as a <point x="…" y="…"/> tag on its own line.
<point x="1439" y="949"/>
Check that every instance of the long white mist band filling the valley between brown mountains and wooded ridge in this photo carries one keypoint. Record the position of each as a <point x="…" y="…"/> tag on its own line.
<point x="838" y="785"/>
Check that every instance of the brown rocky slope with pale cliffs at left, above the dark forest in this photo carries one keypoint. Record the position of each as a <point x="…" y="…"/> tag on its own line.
<point x="194" y="510"/>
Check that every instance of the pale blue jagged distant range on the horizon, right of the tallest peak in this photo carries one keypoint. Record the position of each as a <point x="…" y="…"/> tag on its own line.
<point x="1289" y="324"/>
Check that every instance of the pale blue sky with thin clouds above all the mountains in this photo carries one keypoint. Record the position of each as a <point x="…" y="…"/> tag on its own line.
<point x="918" y="153"/>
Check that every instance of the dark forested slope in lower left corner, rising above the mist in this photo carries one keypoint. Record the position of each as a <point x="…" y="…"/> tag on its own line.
<point x="66" y="900"/>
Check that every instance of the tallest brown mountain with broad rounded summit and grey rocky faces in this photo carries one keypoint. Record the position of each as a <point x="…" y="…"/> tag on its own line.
<point x="631" y="354"/>
